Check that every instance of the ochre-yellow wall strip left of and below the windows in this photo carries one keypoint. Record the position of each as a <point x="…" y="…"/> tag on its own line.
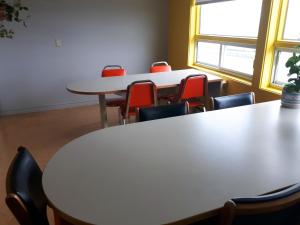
<point x="179" y="18"/>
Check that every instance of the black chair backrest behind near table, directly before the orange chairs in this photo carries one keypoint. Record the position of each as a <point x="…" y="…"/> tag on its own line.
<point x="163" y="111"/>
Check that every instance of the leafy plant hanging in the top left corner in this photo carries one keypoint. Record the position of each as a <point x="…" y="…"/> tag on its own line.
<point x="10" y="12"/>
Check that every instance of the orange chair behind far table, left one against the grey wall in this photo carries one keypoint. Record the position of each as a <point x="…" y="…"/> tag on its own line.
<point x="114" y="71"/>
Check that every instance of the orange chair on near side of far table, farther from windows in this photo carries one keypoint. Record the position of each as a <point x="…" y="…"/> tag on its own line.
<point x="140" y="94"/>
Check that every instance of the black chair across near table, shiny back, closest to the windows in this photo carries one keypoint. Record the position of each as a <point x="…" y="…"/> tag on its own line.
<point x="233" y="101"/>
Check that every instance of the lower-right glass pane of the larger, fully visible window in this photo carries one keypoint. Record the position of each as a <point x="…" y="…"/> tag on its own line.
<point x="238" y="59"/>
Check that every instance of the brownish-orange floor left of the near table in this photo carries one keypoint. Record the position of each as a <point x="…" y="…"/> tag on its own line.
<point x="43" y="133"/>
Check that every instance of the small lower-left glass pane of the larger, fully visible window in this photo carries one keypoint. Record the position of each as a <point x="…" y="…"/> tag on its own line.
<point x="208" y="53"/>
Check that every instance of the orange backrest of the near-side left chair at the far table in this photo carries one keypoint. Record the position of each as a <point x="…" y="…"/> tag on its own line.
<point x="141" y="94"/>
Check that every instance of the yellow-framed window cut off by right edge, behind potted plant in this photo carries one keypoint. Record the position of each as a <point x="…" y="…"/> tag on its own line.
<point x="287" y="38"/>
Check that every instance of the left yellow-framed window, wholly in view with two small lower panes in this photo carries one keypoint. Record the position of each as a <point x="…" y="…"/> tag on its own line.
<point x="226" y="35"/>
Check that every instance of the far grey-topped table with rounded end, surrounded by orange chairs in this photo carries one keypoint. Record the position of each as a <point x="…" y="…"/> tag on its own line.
<point x="110" y="85"/>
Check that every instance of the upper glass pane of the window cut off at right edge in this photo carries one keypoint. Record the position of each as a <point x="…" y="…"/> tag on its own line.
<point x="292" y="28"/>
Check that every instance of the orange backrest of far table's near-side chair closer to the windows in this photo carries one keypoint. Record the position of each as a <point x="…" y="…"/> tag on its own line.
<point x="193" y="86"/>
